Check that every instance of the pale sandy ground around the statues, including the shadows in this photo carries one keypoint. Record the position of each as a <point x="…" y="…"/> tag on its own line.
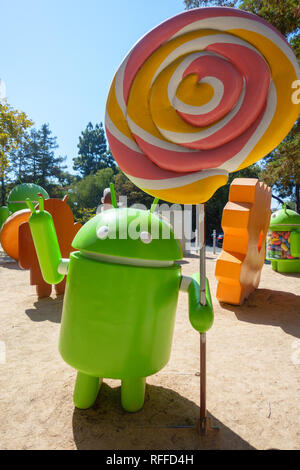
<point x="253" y="362"/>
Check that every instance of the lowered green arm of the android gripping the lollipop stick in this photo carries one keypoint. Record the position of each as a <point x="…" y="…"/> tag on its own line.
<point x="201" y="316"/>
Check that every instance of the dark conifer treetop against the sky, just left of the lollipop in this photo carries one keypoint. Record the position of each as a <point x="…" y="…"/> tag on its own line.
<point x="93" y="154"/>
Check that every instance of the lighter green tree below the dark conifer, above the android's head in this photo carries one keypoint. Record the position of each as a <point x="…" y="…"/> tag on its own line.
<point x="85" y="195"/>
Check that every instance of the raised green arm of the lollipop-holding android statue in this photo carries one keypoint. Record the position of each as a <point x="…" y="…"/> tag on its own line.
<point x="53" y="266"/>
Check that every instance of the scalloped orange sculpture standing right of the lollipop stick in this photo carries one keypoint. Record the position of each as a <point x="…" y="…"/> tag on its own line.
<point x="245" y="224"/>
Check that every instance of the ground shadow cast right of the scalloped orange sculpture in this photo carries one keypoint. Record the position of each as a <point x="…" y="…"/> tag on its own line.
<point x="285" y="311"/>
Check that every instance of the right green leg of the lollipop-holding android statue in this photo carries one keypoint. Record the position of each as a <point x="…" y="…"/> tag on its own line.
<point x="133" y="393"/>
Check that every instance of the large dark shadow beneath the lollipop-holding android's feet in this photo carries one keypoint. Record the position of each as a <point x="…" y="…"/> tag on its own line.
<point x="165" y="422"/>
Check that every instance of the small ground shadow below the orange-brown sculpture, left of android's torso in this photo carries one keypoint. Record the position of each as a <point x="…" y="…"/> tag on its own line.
<point x="46" y="309"/>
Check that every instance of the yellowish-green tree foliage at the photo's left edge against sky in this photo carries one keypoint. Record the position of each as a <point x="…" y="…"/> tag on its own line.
<point x="13" y="125"/>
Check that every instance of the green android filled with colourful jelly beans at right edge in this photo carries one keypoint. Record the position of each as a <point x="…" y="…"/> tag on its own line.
<point x="283" y="243"/>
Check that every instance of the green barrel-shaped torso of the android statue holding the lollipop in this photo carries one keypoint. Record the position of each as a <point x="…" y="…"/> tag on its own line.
<point x="118" y="315"/>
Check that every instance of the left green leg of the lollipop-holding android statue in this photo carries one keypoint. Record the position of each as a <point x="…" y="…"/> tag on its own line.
<point x="86" y="390"/>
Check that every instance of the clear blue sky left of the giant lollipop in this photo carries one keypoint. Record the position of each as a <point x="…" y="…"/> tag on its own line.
<point x="58" y="57"/>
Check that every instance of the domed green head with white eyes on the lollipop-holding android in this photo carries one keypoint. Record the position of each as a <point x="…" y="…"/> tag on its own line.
<point x="128" y="234"/>
